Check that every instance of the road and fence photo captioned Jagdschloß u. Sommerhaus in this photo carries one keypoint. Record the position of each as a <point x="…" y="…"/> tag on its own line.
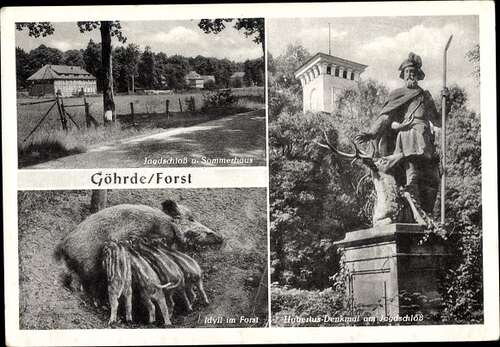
<point x="111" y="94"/>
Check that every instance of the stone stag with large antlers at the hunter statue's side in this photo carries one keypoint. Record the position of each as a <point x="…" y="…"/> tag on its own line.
<point x="392" y="202"/>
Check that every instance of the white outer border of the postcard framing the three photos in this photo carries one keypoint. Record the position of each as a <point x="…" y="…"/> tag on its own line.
<point x="488" y="331"/>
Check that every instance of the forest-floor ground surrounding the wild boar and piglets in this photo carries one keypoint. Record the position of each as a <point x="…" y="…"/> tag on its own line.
<point x="45" y="217"/>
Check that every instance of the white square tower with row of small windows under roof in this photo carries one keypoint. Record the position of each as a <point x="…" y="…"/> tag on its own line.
<point x="323" y="77"/>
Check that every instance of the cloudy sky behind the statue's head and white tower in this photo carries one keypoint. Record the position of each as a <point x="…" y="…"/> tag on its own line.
<point x="383" y="43"/>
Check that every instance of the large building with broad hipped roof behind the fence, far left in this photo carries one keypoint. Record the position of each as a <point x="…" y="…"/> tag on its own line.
<point x="70" y="80"/>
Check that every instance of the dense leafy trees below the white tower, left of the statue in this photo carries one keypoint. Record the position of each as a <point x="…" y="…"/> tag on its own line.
<point x="314" y="196"/>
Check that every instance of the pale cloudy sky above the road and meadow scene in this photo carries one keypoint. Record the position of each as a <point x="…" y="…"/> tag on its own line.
<point x="171" y="37"/>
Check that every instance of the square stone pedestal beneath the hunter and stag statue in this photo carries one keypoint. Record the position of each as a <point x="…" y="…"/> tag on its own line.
<point x="390" y="273"/>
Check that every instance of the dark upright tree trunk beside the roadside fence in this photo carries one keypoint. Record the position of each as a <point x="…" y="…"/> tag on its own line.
<point x="107" y="95"/>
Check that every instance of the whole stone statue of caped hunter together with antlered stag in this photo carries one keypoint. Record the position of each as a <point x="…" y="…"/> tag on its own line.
<point x="404" y="164"/>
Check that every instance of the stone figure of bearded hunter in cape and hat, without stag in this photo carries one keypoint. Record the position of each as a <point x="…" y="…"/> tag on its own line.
<point x="405" y="126"/>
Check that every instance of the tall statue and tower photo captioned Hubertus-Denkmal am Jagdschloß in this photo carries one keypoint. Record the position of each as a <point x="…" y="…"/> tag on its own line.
<point x="375" y="171"/>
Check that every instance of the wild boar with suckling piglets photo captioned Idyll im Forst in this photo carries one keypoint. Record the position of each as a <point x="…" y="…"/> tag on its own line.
<point x="154" y="258"/>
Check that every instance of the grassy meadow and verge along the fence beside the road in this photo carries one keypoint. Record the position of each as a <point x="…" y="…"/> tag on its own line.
<point x="50" y="141"/>
